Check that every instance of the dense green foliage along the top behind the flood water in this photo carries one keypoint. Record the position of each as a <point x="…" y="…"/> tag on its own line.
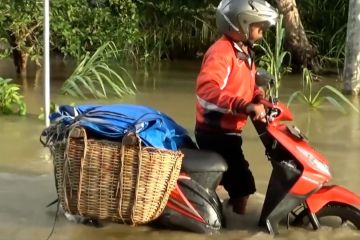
<point x="150" y="30"/>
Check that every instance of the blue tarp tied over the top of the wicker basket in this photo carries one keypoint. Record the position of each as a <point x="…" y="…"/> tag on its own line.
<point x="112" y="122"/>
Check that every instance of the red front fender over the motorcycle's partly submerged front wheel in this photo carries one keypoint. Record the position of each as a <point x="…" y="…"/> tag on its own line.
<point x="329" y="194"/>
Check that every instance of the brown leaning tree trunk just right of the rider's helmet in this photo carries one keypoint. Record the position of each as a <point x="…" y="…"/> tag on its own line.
<point x="303" y="53"/>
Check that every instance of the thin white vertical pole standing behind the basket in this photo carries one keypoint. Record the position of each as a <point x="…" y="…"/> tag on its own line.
<point x="47" y="61"/>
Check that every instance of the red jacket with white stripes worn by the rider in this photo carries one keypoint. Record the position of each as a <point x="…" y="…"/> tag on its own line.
<point x="224" y="87"/>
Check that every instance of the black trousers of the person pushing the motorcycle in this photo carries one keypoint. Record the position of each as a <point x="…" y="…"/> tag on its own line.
<point x="238" y="179"/>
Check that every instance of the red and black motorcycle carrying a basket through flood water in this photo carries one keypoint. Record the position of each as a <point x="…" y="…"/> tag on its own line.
<point x="297" y="190"/>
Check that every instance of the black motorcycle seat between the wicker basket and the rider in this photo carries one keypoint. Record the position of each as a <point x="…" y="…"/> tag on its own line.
<point x="196" y="160"/>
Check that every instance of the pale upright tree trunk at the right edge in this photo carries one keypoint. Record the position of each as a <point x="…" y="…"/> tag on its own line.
<point x="352" y="51"/>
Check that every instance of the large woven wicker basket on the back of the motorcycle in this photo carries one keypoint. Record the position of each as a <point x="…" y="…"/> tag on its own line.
<point x="117" y="181"/>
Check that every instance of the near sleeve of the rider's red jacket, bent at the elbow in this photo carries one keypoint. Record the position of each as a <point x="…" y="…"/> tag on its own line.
<point x="210" y="86"/>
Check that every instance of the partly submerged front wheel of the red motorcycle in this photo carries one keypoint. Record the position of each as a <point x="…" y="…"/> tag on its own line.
<point x="332" y="215"/>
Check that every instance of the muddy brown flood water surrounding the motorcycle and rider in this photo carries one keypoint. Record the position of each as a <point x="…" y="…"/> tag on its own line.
<point x="27" y="183"/>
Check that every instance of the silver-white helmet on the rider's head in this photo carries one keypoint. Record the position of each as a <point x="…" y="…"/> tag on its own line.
<point x="233" y="17"/>
